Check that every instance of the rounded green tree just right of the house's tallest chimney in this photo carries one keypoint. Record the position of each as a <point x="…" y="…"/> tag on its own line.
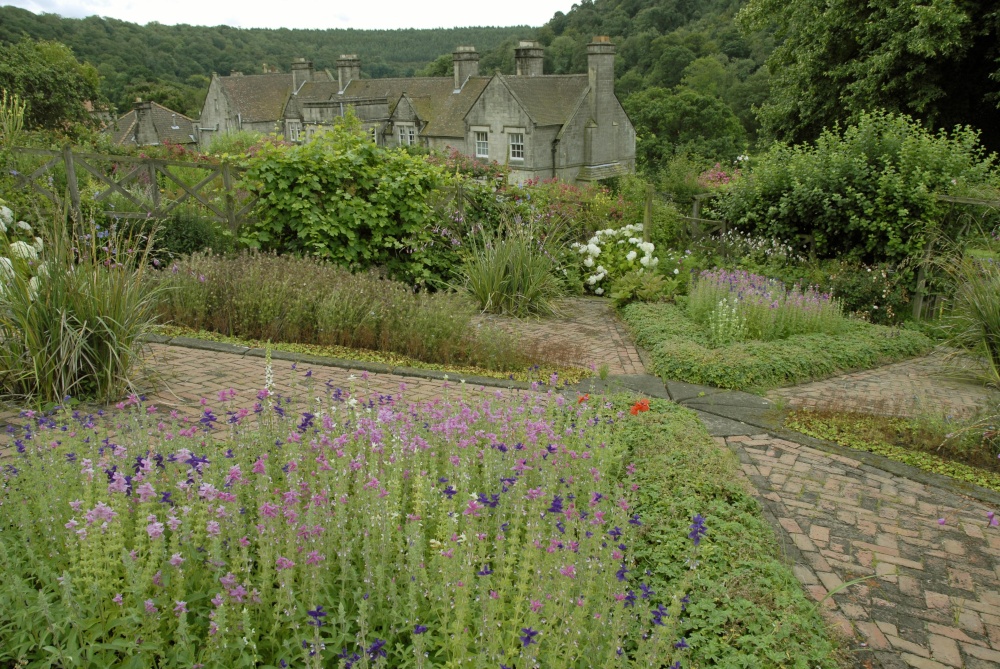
<point x="683" y="121"/>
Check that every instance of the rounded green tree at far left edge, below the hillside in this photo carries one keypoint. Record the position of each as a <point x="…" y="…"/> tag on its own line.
<point x="52" y="82"/>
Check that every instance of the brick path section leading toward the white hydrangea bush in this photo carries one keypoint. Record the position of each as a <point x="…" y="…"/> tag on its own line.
<point x="587" y="332"/>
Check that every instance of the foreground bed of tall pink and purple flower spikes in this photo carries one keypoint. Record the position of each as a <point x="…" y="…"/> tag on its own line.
<point x="349" y="532"/>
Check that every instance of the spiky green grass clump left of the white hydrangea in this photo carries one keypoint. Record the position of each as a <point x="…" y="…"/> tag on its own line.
<point x="512" y="270"/>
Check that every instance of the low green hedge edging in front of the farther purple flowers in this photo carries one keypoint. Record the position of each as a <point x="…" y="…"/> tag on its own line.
<point x="680" y="351"/>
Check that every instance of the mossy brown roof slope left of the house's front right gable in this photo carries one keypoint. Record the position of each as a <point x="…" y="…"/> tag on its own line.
<point x="433" y="98"/>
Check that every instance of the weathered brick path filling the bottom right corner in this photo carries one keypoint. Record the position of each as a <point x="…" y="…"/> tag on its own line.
<point x="933" y="597"/>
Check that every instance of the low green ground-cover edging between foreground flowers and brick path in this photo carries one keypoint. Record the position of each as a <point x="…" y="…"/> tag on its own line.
<point x="746" y="609"/>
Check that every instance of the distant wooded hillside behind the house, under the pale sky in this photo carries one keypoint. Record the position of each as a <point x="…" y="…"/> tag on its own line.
<point x="173" y="64"/>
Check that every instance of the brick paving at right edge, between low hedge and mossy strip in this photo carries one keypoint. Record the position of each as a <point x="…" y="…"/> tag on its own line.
<point x="933" y="383"/>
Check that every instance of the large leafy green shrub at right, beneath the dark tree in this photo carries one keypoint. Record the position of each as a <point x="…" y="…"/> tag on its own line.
<point x="866" y="192"/>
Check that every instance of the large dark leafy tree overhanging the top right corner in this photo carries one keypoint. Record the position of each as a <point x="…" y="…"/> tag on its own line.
<point x="938" y="61"/>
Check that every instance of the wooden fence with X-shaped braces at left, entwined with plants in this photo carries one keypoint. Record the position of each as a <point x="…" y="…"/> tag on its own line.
<point x="141" y="182"/>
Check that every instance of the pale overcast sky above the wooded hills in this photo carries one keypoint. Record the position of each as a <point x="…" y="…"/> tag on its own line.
<point x="335" y="14"/>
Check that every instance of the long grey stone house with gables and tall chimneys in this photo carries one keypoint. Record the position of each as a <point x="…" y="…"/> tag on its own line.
<point x="542" y="126"/>
